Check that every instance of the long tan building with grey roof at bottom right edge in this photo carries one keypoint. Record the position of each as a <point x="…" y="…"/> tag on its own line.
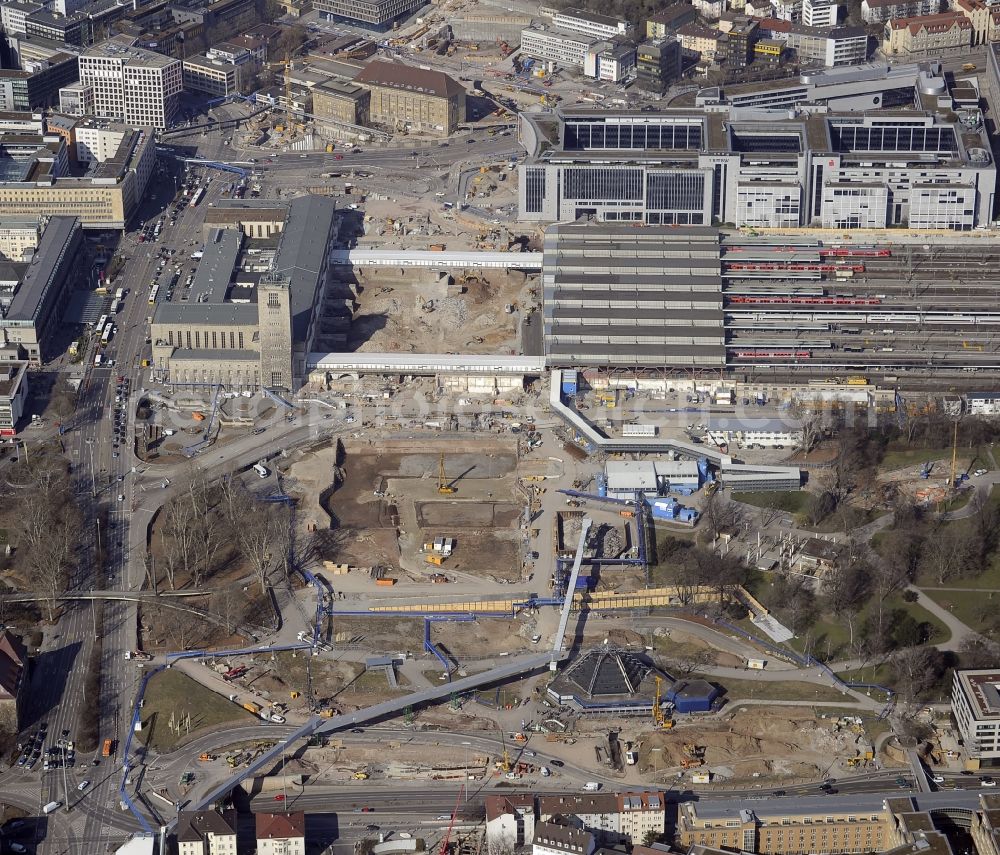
<point x="790" y="826"/>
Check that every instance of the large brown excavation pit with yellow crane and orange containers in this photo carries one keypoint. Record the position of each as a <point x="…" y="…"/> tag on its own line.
<point x="482" y="515"/>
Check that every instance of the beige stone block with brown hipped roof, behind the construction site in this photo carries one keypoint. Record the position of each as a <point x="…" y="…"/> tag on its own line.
<point x="405" y="97"/>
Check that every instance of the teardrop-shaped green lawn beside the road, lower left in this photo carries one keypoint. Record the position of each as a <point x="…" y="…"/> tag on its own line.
<point x="171" y="692"/>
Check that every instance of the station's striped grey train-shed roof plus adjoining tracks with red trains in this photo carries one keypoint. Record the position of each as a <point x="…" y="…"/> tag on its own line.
<point x="688" y="300"/>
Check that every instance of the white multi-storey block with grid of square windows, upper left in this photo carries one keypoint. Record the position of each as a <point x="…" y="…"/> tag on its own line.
<point x="131" y="84"/>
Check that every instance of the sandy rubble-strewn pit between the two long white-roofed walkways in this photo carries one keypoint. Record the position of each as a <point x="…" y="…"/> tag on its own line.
<point x="414" y="311"/>
